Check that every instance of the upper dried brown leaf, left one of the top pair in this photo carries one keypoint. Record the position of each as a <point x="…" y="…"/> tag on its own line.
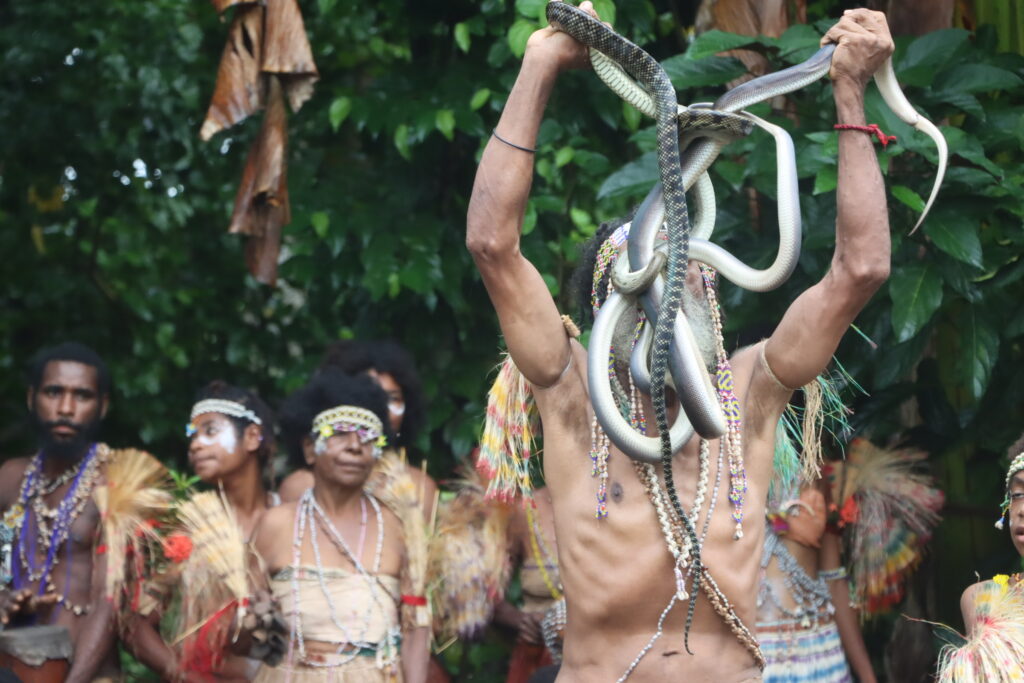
<point x="238" y="93"/>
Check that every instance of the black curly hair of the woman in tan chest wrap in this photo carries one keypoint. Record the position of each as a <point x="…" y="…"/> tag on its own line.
<point x="329" y="389"/>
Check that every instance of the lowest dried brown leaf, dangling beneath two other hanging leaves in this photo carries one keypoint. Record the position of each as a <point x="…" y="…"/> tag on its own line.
<point x="262" y="206"/>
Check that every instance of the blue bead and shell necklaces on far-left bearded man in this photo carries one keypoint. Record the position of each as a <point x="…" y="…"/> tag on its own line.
<point x="51" y="539"/>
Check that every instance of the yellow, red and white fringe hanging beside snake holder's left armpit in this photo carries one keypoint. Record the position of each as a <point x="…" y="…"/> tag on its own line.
<point x="509" y="433"/>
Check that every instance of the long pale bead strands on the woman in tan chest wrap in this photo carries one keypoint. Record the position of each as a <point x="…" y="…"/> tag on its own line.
<point x="310" y="515"/>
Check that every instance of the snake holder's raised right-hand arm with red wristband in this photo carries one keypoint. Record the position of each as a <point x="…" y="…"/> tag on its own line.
<point x="812" y="329"/>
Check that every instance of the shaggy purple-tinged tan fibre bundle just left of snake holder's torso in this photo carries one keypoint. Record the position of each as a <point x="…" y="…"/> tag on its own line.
<point x="468" y="560"/>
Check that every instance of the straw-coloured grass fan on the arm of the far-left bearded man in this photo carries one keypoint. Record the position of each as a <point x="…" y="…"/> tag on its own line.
<point x="133" y="500"/>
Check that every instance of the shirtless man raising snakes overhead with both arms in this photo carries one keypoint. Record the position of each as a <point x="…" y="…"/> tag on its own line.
<point x="620" y="582"/>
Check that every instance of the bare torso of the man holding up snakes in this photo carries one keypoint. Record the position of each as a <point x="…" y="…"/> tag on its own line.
<point x="618" y="572"/>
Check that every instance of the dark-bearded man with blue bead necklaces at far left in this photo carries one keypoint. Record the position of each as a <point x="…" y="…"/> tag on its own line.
<point x="57" y="574"/>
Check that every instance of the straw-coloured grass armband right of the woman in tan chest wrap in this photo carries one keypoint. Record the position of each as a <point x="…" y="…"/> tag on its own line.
<point x="394" y="486"/>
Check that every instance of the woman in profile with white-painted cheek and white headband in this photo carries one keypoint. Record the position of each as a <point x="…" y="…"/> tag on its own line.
<point x="231" y="442"/>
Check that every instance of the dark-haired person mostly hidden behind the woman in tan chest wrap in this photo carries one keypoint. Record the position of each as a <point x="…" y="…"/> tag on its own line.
<point x="392" y="368"/>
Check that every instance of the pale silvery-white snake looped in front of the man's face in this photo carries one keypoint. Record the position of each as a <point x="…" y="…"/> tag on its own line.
<point x="701" y="409"/>
